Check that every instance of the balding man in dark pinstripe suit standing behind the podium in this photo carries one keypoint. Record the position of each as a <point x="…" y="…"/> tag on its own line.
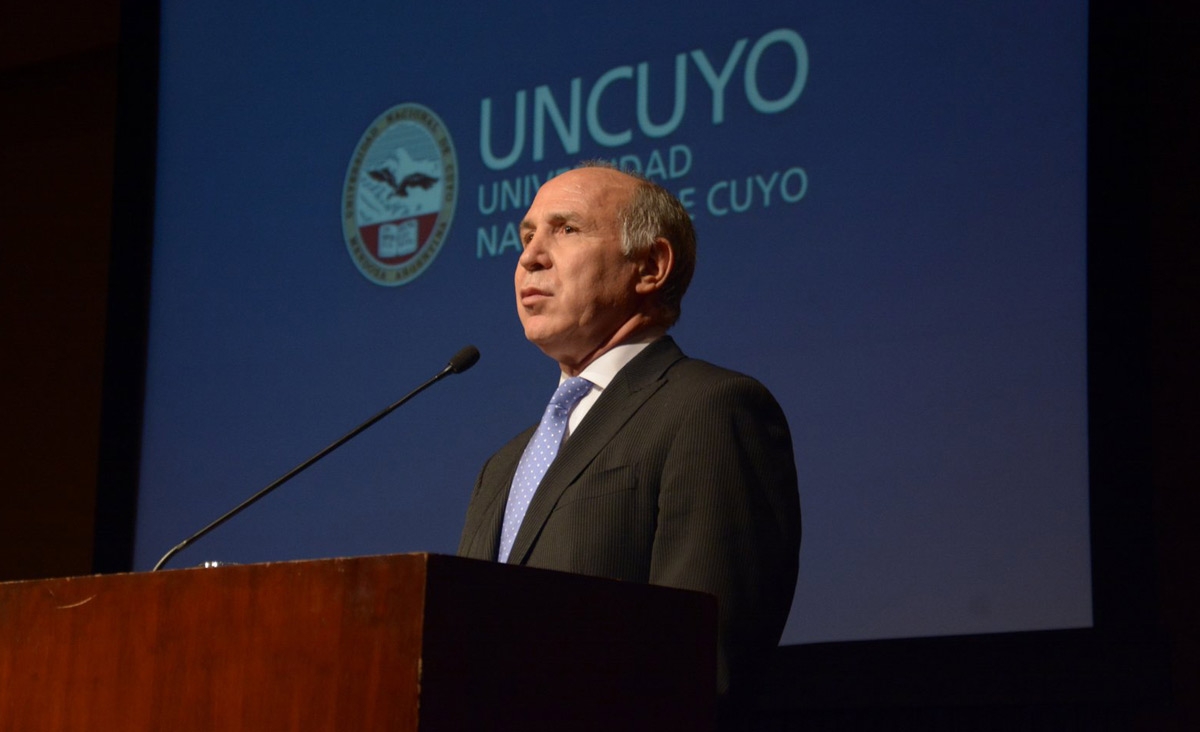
<point x="671" y="471"/>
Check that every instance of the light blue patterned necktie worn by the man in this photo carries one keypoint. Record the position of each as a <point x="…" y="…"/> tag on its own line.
<point x="539" y="454"/>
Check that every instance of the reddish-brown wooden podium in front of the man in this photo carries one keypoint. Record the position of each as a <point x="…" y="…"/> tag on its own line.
<point x="403" y="643"/>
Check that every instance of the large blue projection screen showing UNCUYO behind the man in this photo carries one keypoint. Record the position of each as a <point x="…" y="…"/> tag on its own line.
<point x="891" y="208"/>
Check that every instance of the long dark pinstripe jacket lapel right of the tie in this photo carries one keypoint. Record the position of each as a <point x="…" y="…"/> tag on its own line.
<point x="625" y="397"/>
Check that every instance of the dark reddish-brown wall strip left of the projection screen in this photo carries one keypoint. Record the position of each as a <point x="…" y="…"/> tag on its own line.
<point x="58" y="112"/>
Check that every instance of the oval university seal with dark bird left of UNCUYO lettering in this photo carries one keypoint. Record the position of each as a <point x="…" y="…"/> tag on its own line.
<point x="399" y="196"/>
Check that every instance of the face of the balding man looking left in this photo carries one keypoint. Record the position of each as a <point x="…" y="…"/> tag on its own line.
<point x="574" y="287"/>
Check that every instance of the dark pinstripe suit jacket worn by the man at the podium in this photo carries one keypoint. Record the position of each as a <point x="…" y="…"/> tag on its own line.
<point x="682" y="475"/>
